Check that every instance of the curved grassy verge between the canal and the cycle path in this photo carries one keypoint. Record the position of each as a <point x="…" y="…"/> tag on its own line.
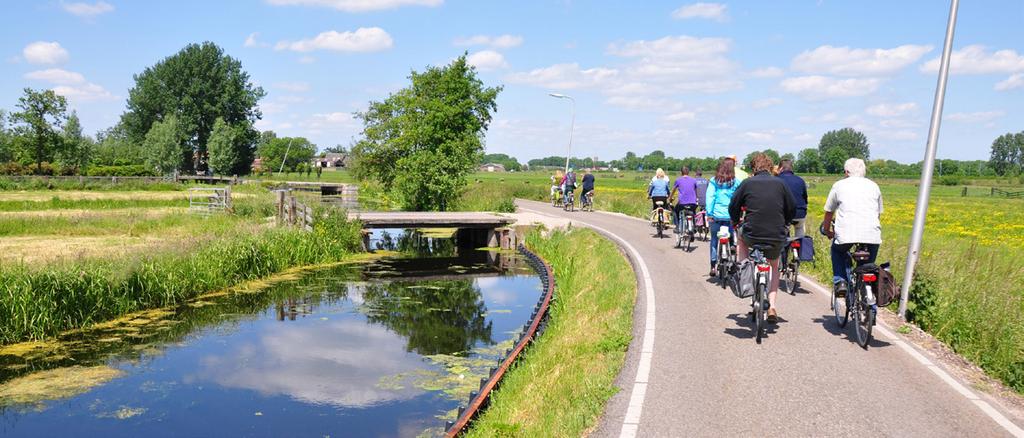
<point x="564" y="382"/>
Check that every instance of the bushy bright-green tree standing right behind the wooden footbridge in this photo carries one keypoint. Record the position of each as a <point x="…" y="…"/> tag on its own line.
<point x="424" y="140"/>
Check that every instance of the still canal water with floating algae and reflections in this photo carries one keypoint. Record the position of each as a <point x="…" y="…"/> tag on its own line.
<point x="385" y="348"/>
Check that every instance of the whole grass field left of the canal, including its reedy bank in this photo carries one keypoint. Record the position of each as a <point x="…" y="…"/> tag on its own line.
<point x="72" y="256"/>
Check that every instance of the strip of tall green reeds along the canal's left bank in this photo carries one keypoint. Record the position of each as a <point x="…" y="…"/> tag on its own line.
<point x="42" y="302"/>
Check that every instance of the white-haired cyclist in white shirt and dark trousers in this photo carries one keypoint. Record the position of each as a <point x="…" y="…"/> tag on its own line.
<point x="856" y="204"/>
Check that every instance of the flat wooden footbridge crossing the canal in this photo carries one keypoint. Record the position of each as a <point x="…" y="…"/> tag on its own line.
<point x="476" y="229"/>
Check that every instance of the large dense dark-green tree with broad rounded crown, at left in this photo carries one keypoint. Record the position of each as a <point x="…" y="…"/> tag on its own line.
<point x="198" y="85"/>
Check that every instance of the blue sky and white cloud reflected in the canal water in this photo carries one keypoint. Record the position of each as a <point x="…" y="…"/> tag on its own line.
<point x="318" y="375"/>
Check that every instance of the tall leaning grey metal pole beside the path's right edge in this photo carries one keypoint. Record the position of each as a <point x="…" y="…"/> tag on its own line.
<point x="928" y="168"/>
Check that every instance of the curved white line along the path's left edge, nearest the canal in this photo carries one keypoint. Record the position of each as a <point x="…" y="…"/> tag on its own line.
<point x="631" y="424"/>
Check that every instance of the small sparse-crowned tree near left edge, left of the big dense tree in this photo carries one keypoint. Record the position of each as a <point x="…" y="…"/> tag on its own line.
<point x="42" y="115"/>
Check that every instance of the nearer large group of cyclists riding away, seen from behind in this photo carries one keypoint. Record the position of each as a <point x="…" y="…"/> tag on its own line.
<point x="760" y="209"/>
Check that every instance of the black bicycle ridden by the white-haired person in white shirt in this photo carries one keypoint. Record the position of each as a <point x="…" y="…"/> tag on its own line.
<point x="860" y="301"/>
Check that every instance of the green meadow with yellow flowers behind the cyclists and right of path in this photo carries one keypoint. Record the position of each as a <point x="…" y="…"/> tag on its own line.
<point x="970" y="287"/>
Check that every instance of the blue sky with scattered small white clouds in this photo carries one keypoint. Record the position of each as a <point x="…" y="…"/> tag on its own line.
<point x="692" y="79"/>
